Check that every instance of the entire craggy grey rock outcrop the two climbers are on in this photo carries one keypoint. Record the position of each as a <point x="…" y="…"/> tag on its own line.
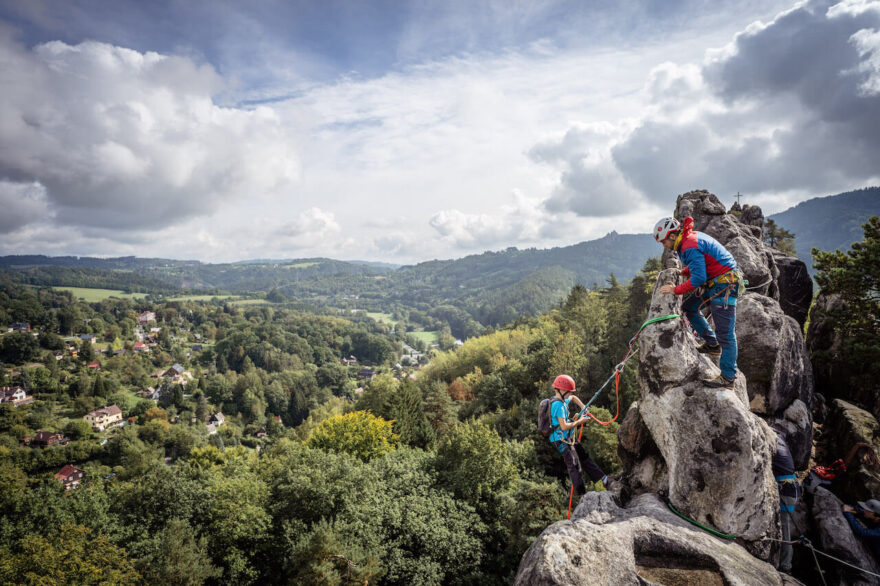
<point x="704" y="448"/>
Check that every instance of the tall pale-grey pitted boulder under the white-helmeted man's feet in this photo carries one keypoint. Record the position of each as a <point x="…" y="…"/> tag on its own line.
<point x="716" y="452"/>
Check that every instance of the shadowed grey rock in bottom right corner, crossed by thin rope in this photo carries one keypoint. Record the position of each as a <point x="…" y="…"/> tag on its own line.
<point x="836" y="538"/>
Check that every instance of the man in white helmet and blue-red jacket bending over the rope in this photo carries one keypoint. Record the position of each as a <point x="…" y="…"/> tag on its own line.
<point x="715" y="282"/>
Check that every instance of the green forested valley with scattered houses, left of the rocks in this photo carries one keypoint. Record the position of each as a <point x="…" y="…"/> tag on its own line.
<point x="248" y="451"/>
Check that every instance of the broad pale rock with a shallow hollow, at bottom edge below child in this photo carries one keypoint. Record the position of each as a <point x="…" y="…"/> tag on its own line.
<point x="644" y="543"/>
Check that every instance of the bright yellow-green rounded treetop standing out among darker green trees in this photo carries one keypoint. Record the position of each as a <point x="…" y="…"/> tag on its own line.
<point x="360" y="434"/>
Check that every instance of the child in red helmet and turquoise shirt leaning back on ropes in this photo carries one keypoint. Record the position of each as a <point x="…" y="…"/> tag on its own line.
<point x="562" y="438"/>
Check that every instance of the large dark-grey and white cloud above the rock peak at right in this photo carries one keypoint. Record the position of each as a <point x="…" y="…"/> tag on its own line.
<point x="789" y="106"/>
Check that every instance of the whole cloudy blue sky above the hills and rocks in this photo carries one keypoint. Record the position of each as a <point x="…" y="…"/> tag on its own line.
<point x="403" y="131"/>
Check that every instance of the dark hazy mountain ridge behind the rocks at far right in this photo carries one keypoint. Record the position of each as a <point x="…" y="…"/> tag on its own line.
<point x="832" y="222"/>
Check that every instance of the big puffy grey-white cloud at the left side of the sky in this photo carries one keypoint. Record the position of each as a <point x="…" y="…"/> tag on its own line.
<point x="125" y="139"/>
